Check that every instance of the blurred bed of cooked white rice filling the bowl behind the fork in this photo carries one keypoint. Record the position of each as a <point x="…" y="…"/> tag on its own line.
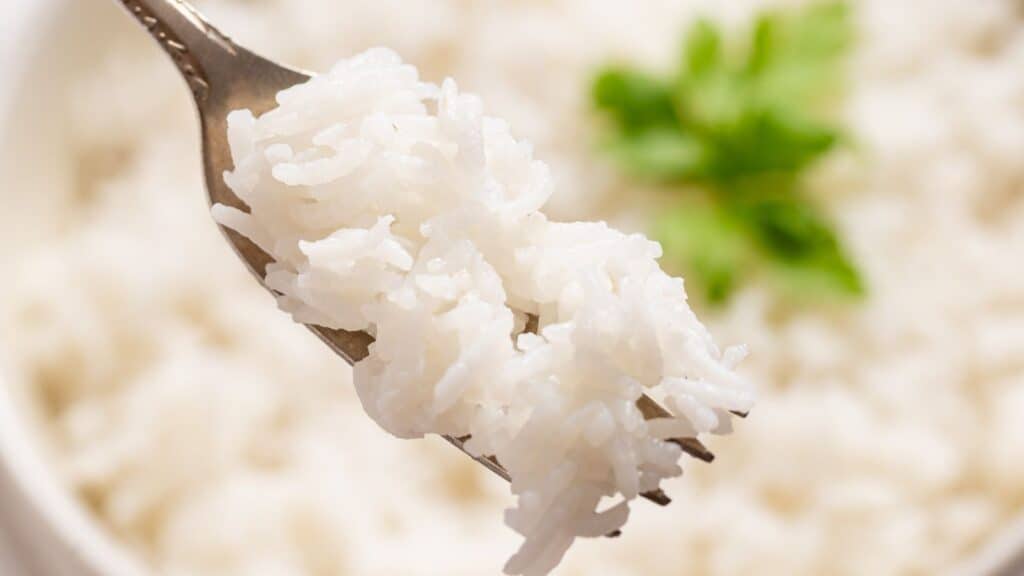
<point x="207" y="435"/>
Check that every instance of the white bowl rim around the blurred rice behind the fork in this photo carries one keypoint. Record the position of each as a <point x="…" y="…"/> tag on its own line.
<point x="52" y="532"/>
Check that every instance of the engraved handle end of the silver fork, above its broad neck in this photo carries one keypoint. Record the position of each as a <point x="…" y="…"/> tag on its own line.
<point x="194" y="45"/>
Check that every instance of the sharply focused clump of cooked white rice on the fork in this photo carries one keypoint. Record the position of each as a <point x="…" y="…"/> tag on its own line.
<point x="395" y="207"/>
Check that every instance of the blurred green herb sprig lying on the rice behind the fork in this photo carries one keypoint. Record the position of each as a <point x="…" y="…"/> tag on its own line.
<point x="743" y="124"/>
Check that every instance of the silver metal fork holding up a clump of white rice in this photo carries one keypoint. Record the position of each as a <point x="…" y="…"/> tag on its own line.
<point x="224" y="77"/>
